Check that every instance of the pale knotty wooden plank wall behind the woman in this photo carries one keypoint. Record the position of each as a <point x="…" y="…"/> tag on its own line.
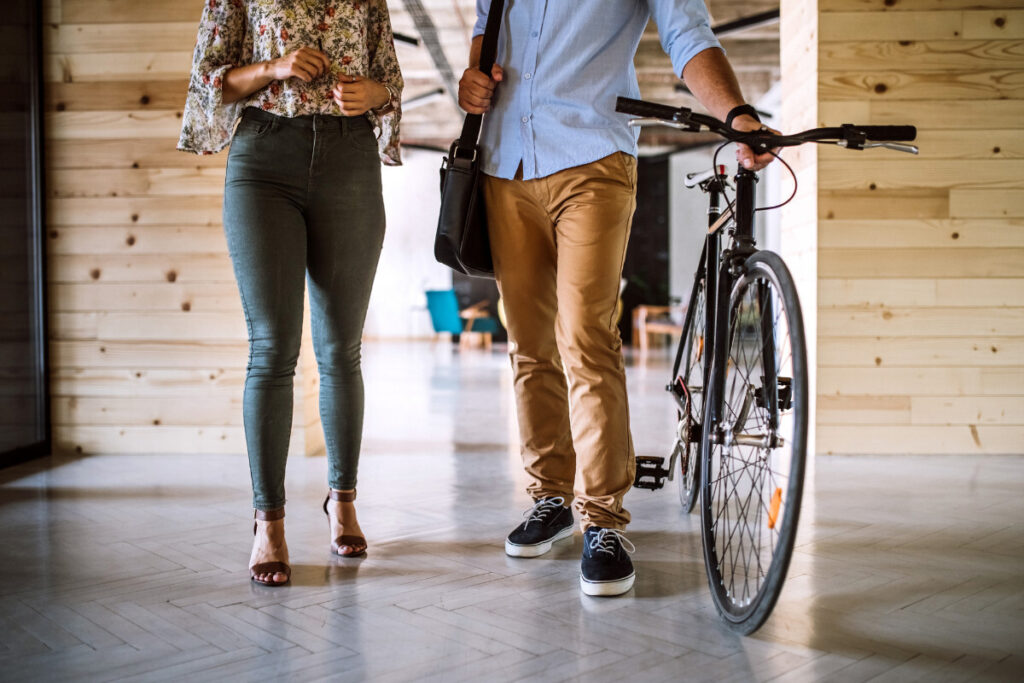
<point x="147" y="332"/>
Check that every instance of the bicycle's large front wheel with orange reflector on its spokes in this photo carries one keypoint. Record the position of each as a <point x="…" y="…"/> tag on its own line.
<point x="754" y="459"/>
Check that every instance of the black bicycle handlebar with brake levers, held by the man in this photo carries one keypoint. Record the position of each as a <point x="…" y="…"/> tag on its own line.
<point x="849" y="136"/>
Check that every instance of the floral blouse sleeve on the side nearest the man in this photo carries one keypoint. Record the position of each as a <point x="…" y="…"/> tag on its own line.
<point x="385" y="69"/>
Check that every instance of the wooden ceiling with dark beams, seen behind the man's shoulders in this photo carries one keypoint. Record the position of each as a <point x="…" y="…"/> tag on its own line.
<point x="753" y="53"/>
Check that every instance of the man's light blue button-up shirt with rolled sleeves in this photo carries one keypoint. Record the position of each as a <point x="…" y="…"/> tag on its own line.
<point x="566" y="62"/>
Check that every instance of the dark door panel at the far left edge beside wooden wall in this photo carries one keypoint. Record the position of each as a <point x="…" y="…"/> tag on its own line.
<point x="25" y="429"/>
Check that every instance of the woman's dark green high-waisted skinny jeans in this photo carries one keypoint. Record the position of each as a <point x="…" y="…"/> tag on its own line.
<point x="303" y="203"/>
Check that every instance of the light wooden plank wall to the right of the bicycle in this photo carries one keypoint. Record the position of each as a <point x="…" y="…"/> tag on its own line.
<point x="921" y="261"/>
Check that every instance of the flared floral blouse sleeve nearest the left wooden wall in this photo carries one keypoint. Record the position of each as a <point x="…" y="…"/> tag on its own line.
<point x="208" y="122"/>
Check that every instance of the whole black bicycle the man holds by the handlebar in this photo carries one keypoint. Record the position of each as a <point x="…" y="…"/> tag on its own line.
<point x="740" y="376"/>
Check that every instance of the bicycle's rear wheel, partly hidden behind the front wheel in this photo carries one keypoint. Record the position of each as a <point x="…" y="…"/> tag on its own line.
<point x="691" y="343"/>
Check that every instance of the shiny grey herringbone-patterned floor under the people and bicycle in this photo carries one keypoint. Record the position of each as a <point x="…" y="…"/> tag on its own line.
<point x="135" y="567"/>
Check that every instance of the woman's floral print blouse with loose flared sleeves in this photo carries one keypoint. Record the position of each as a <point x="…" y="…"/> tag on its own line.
<point x="355" y="34"/>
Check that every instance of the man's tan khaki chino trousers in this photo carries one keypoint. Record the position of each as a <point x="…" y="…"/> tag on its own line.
<point x="559" y="246"/>
